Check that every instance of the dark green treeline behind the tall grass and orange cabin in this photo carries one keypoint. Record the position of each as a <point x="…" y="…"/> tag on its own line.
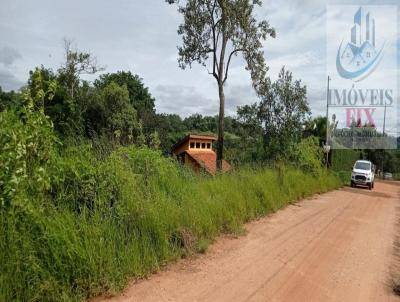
<point x="118" y="109"/>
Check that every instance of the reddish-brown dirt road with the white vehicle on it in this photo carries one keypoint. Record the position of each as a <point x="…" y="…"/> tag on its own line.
<point x="334" y="247"/>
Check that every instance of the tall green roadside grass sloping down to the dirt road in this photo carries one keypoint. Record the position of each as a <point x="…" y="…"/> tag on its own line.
<point x="102" y="222"/>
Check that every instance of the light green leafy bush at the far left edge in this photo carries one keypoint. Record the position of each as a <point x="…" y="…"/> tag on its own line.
<point x="27" y="148"/>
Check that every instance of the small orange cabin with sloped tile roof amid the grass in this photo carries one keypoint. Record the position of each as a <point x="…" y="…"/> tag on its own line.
<point x="197" y="152"/>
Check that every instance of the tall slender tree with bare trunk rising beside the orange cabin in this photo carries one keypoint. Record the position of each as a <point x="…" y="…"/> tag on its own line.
<point x="221" y="29"/>
